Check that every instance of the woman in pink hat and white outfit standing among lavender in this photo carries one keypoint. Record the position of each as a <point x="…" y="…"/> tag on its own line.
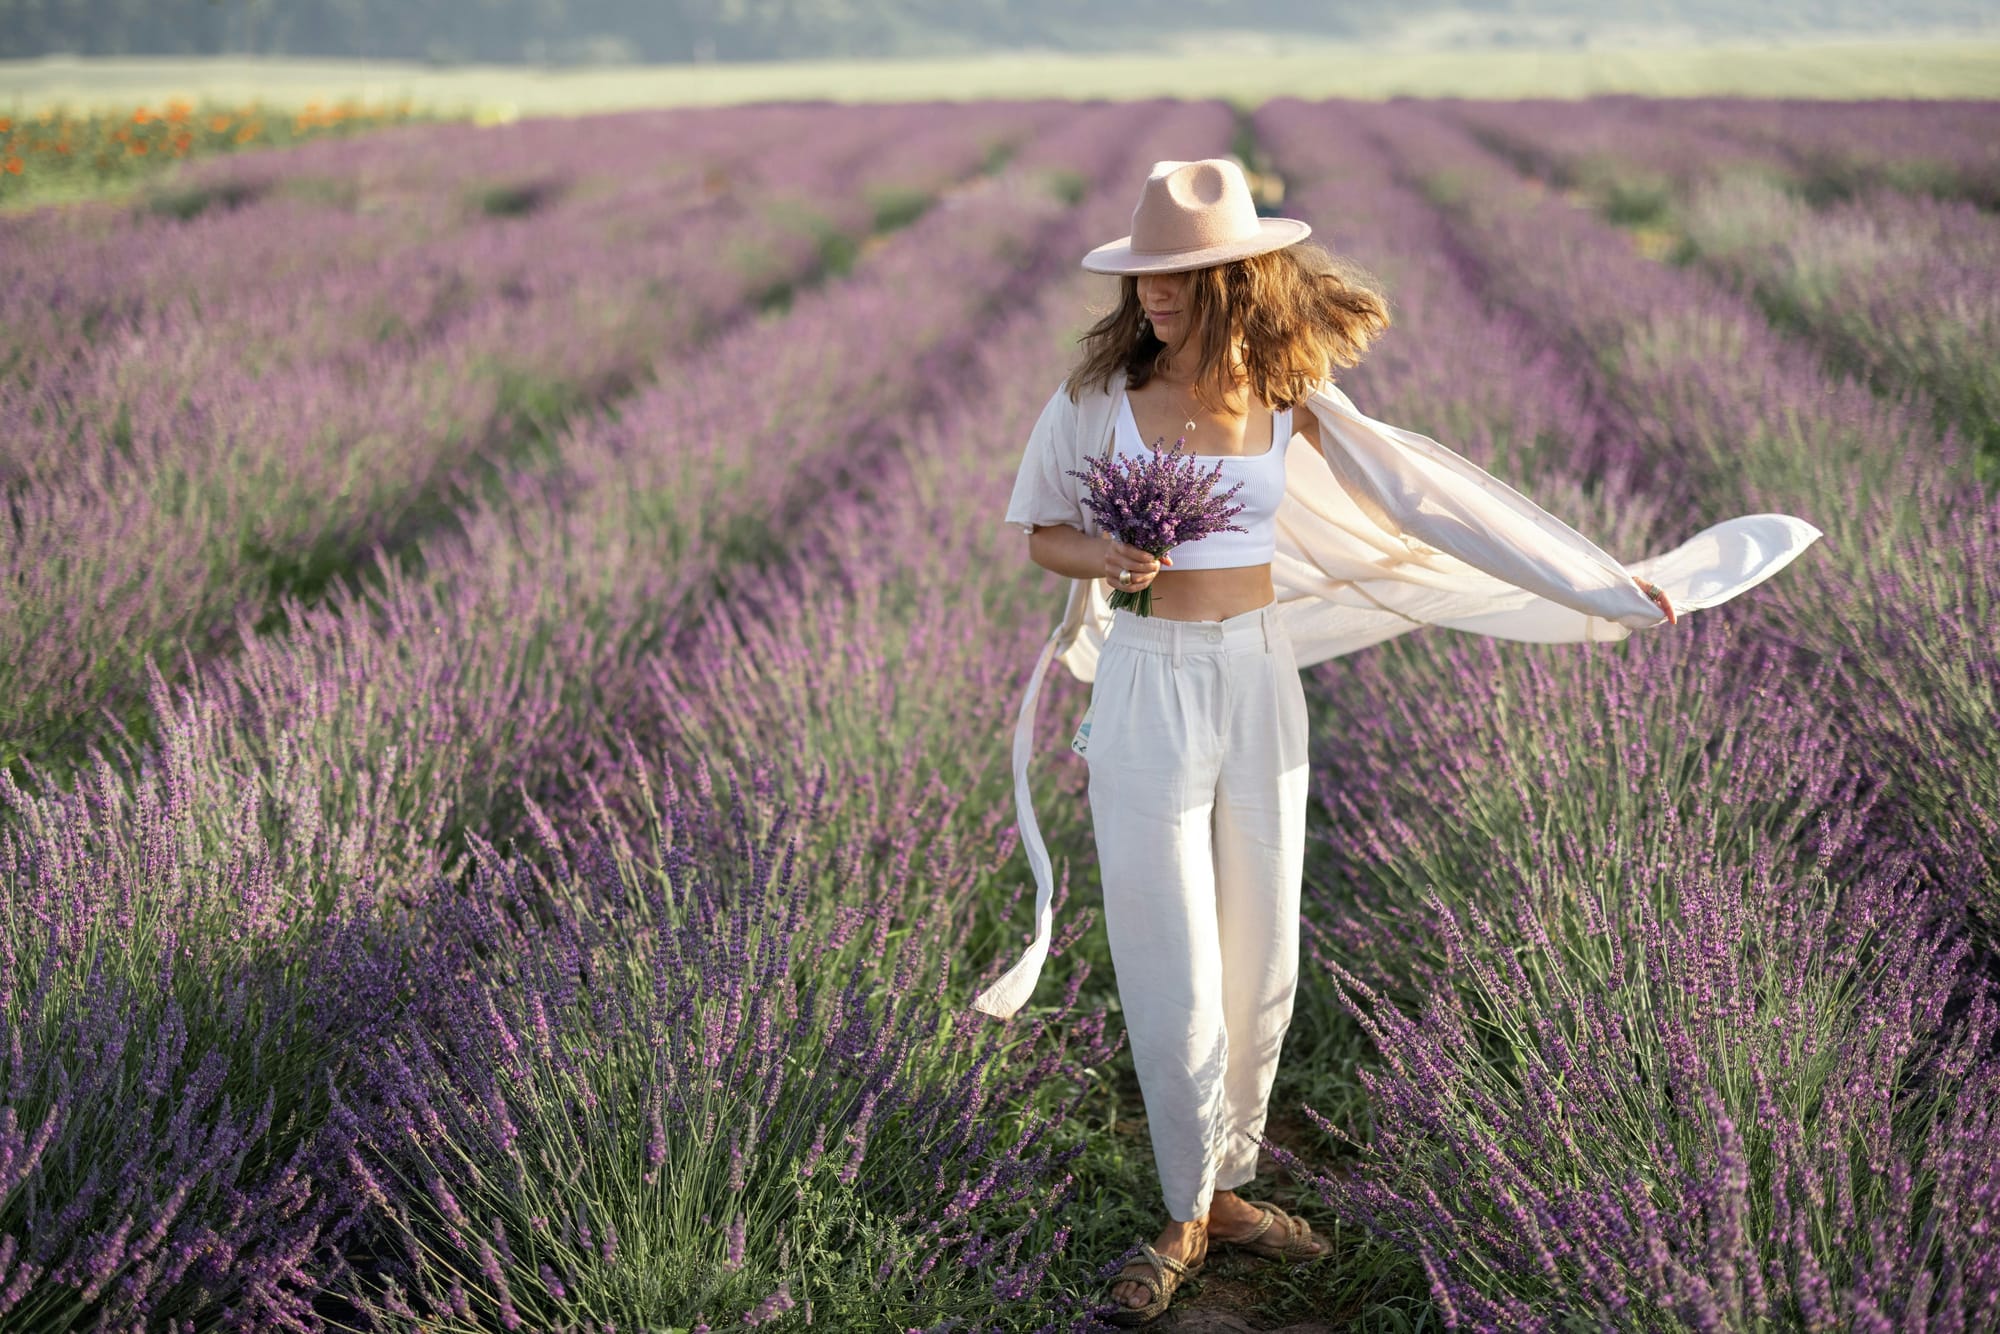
<point x="1355" y="531"/>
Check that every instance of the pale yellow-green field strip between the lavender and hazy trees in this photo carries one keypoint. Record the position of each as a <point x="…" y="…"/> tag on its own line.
<point x="1929" y="69"/>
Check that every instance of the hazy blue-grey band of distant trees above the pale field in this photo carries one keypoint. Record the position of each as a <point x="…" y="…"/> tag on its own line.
<point x="609" y="33"/>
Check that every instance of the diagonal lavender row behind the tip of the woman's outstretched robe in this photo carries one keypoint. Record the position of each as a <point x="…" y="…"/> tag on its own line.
<point x="1749" y="419"/>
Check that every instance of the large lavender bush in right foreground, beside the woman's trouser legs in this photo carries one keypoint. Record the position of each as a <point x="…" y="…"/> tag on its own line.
<point x="1673" y="1003"/>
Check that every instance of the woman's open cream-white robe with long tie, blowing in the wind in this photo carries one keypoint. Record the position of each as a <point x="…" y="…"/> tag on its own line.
<point x="1381" y="531"/>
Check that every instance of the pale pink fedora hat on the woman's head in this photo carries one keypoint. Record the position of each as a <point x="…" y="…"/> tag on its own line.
<point x="1193" y="215"/>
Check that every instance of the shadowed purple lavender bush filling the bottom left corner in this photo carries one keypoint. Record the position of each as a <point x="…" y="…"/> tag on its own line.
<point x="173" y="1025"/>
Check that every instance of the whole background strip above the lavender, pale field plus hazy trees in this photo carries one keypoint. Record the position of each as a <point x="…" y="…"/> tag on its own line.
<point x="505" y="59"/>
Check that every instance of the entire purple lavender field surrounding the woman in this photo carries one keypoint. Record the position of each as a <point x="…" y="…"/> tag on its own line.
<point x="507" y="661"/>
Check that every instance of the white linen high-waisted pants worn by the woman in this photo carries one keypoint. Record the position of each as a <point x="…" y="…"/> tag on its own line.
<point x="1199" y="801"/>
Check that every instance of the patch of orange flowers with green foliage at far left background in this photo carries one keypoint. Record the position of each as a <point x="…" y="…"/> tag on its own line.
<point x="57" y="153"/>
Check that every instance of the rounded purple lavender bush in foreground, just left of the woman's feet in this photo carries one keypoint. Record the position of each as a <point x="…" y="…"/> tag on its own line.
<point x="665" y="1083"/>
